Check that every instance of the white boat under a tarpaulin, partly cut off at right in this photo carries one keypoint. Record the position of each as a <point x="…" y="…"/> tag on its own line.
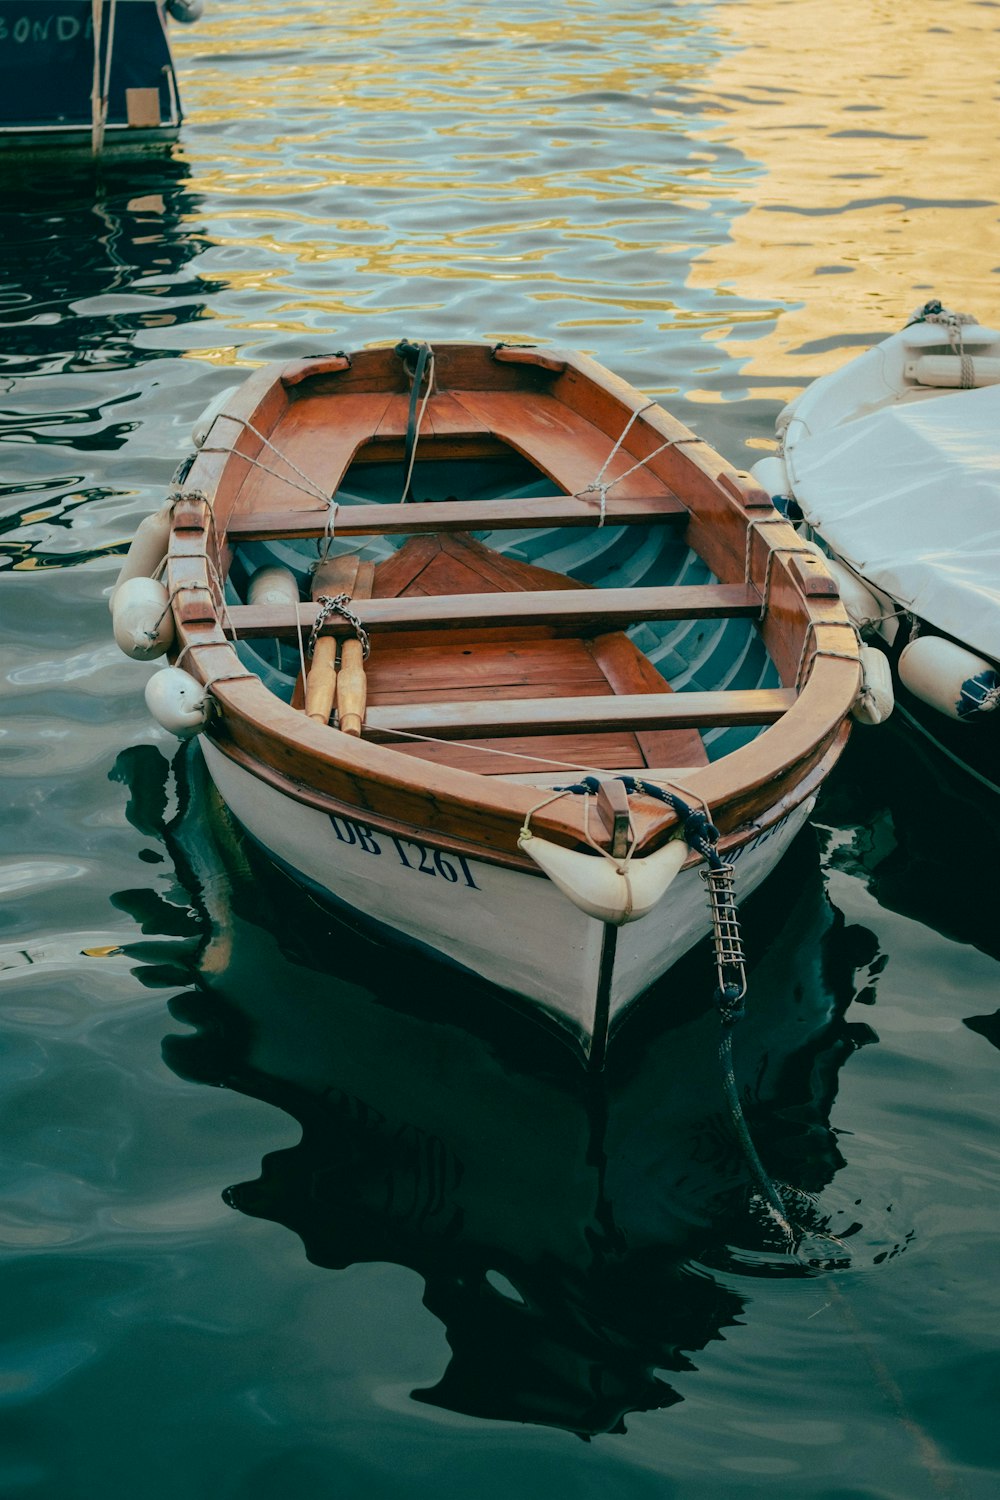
<point x="893" y="466"/>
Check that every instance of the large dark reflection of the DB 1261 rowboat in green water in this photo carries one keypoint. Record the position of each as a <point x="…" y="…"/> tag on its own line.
<point x="563" y="1220"/>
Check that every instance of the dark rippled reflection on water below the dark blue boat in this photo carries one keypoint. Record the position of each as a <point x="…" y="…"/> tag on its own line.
<point x="92" y="259"/>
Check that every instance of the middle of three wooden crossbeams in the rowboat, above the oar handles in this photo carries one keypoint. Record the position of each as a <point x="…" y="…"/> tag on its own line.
<point x="581" y="610"/>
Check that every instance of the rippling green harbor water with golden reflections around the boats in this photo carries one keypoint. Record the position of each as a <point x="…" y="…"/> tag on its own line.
<point x="275" y="1216"/>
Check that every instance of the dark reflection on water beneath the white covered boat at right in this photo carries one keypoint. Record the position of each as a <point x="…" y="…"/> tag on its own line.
<point x="918" y="830"/>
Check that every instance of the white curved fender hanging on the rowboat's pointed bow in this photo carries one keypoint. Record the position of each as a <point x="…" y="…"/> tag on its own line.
<point x="614" y="893"/>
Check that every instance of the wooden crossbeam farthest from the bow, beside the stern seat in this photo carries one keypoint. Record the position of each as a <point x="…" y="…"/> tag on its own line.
<point x="460" y="515"/>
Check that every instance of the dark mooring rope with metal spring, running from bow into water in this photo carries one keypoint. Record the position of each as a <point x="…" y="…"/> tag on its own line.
<point x="701" y="835"/>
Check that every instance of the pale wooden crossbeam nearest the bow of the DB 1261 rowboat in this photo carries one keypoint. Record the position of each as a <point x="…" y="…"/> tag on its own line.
<point x="490" y="719"/>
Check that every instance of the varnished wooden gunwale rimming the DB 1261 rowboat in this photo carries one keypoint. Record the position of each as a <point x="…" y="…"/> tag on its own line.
<point x="804" y="629"/>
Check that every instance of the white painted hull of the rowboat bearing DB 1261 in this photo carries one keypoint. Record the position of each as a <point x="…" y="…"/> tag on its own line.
<point x="513" y="929"/>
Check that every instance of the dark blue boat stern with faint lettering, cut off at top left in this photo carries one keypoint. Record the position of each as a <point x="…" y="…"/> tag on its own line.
<point x="89" y="74"/>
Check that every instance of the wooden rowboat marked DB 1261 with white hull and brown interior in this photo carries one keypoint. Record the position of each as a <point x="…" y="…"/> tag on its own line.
<point x="457" y="508"/>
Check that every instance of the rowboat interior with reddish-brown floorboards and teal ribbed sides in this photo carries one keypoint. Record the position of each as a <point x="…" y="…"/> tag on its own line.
<point x="476" y="524"/>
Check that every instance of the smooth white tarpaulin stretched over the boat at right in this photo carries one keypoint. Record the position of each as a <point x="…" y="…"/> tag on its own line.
<point x="911" y="497"/>
